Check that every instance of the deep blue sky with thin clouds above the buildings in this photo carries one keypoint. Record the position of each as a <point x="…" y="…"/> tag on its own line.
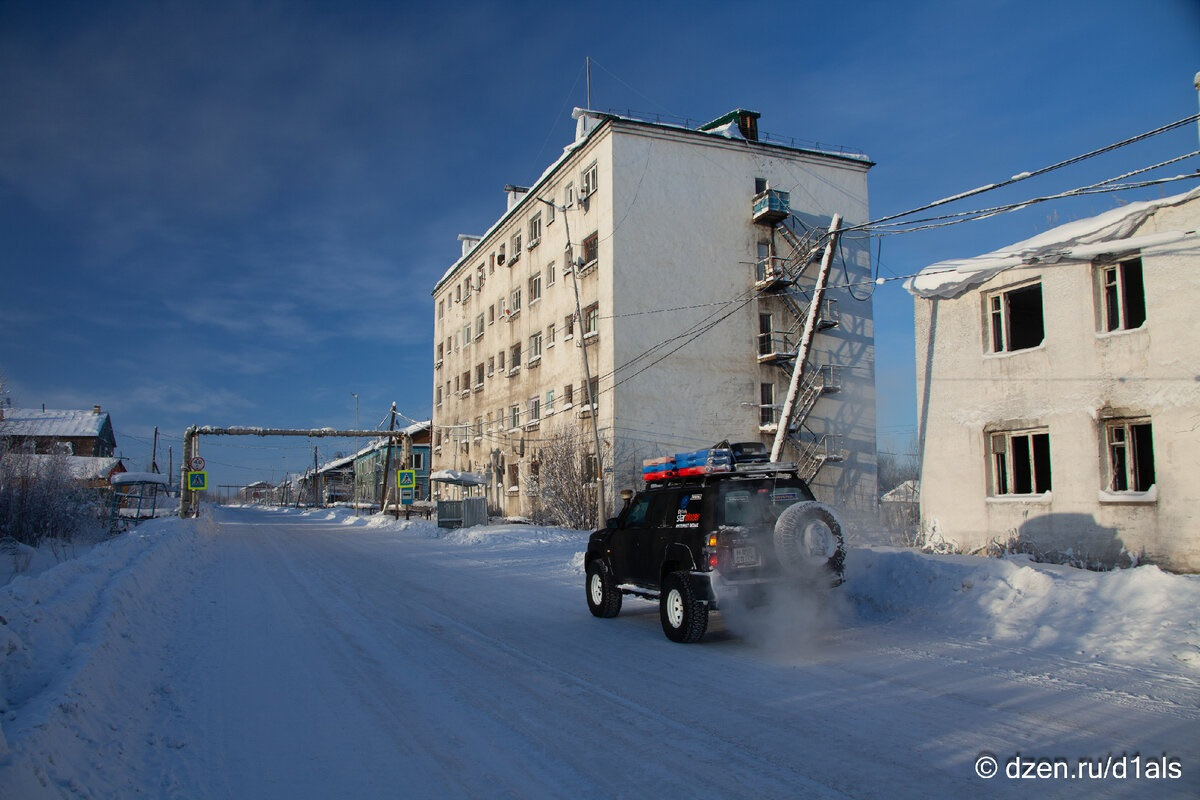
<point x="233" y="214"/>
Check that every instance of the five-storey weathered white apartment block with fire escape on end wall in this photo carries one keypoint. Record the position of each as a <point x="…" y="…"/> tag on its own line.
<point x="693" y="255"/>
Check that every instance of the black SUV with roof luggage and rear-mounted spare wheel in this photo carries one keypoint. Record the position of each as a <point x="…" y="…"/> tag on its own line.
<point x="697" y="540"/>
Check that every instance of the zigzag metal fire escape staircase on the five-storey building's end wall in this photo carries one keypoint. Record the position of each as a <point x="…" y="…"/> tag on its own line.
<point x="782" y="278"/>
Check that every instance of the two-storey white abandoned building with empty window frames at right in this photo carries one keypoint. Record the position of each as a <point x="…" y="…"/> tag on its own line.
<point x="1059" y="390"/>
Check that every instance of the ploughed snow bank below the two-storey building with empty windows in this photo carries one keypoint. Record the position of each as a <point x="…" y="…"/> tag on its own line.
<point x="1142" y="616"/>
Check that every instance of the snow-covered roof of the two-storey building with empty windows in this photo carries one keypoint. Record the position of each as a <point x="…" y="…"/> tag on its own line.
<point x="1076" y="242"/>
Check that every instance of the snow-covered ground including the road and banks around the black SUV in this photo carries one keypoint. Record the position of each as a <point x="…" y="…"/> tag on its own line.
<point x="284" y="654"/>
